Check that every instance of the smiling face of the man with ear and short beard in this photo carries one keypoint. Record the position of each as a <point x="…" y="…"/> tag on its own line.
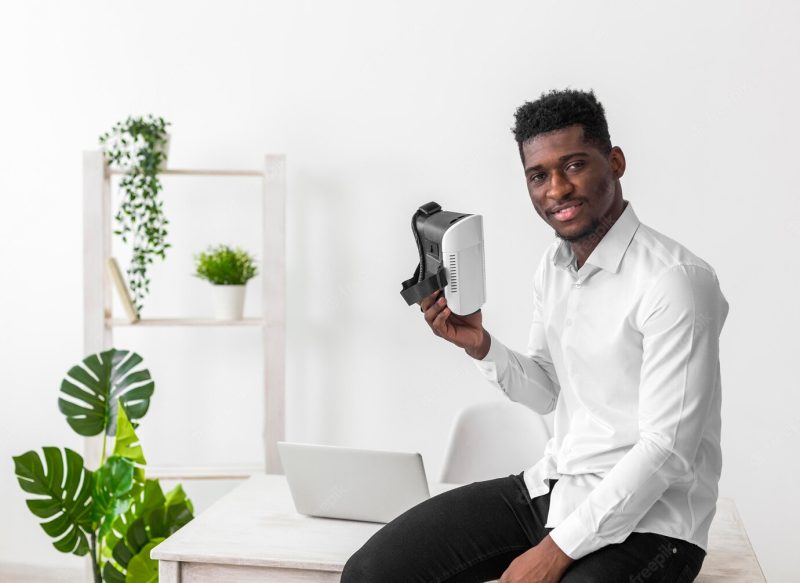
<point x="564" y="172"/>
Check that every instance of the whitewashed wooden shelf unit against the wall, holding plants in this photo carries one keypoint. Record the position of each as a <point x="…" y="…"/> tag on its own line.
<point x="97" y="292"/>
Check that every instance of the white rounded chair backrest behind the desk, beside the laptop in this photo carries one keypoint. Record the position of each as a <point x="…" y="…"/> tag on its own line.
<point x="492" y="440"/>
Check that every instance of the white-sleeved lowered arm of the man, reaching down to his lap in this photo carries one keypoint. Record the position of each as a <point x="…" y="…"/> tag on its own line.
<point x="680" y="320"/>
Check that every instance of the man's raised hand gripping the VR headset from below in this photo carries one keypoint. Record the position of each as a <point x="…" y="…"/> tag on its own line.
<point x="466" y="332"/>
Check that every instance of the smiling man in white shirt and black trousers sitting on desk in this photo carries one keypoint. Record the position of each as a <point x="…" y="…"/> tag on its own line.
<point x="624" y="347"/>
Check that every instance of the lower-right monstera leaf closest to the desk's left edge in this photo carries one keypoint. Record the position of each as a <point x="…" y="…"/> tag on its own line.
<point x="129" y="556"/>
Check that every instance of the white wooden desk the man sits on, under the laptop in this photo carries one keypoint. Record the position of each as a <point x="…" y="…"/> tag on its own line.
<point x="254" y="534"/>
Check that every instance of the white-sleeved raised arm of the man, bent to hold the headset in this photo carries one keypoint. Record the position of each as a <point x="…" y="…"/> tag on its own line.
<point x="528" y="378"/>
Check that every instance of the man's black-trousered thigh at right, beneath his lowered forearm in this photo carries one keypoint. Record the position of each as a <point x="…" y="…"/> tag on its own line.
<point x="641" y="558"/>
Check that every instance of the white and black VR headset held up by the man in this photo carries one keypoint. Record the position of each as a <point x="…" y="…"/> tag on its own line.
<point x="450" y="247"/>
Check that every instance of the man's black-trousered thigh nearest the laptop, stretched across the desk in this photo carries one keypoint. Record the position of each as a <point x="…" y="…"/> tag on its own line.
<point x="469" y="533"/>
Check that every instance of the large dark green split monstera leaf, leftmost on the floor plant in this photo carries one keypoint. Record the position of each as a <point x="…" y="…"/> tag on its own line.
<point x="63" y="494"/>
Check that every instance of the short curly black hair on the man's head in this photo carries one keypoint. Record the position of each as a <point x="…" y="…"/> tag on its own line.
<point x="558" y="109"/>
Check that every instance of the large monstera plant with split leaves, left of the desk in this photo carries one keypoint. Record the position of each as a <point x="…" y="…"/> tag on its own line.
<point x="114" y="512"/>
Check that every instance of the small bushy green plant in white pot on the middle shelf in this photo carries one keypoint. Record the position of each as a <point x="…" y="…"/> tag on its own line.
<point x="229" y="270"/>
